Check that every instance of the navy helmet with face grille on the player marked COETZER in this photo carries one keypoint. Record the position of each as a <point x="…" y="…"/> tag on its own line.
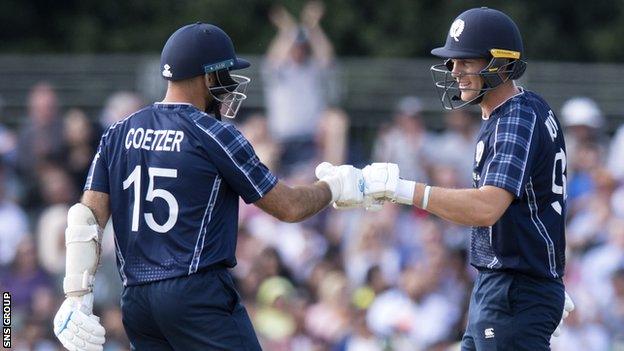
<point x="198" y="49"/>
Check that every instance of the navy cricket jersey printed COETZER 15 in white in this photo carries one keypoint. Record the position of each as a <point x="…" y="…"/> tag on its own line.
<point x="174" y="175"/>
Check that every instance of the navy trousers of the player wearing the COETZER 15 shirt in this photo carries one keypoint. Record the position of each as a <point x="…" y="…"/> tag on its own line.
<point x="197" y="312"/>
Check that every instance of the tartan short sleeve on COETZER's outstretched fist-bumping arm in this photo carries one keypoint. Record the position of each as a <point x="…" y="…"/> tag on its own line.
<point x="238" y="163"/>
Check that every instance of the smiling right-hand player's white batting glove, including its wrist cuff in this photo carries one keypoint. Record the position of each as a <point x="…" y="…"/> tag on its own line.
<point x="382" y="182"/>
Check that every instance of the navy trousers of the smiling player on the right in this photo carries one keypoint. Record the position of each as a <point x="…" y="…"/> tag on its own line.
<point x="512" y="311"/>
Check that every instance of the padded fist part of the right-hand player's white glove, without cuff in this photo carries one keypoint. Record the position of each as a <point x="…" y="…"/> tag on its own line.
<point x="381" y="180"/>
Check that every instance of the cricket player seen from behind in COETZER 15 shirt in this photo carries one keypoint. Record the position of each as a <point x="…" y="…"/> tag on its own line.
<point x="170" y="177"/>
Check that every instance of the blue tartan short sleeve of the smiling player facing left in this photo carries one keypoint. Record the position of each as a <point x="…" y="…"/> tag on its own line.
<point x="512" y="142"/>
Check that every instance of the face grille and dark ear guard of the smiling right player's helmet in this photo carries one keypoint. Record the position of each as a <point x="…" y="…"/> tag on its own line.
<point x="498" y="71"/>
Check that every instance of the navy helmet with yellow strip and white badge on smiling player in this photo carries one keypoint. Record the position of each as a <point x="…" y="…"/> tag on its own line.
<point x="479" y="33"/>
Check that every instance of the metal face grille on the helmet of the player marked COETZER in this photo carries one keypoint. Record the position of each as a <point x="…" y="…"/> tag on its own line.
<point x="229" y="92"/>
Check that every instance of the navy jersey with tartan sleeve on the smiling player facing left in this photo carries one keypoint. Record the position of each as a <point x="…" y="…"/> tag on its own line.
<point x="520" y="148"/>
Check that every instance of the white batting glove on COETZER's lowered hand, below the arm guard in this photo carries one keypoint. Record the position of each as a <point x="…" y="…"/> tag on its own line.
<point x="76" y="327"/>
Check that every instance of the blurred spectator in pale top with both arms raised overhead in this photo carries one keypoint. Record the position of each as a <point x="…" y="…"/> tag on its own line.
<point x="295" y="69"/>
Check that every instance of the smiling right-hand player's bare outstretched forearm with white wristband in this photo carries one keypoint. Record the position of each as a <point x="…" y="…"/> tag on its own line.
<point x="463" y="206"/>
